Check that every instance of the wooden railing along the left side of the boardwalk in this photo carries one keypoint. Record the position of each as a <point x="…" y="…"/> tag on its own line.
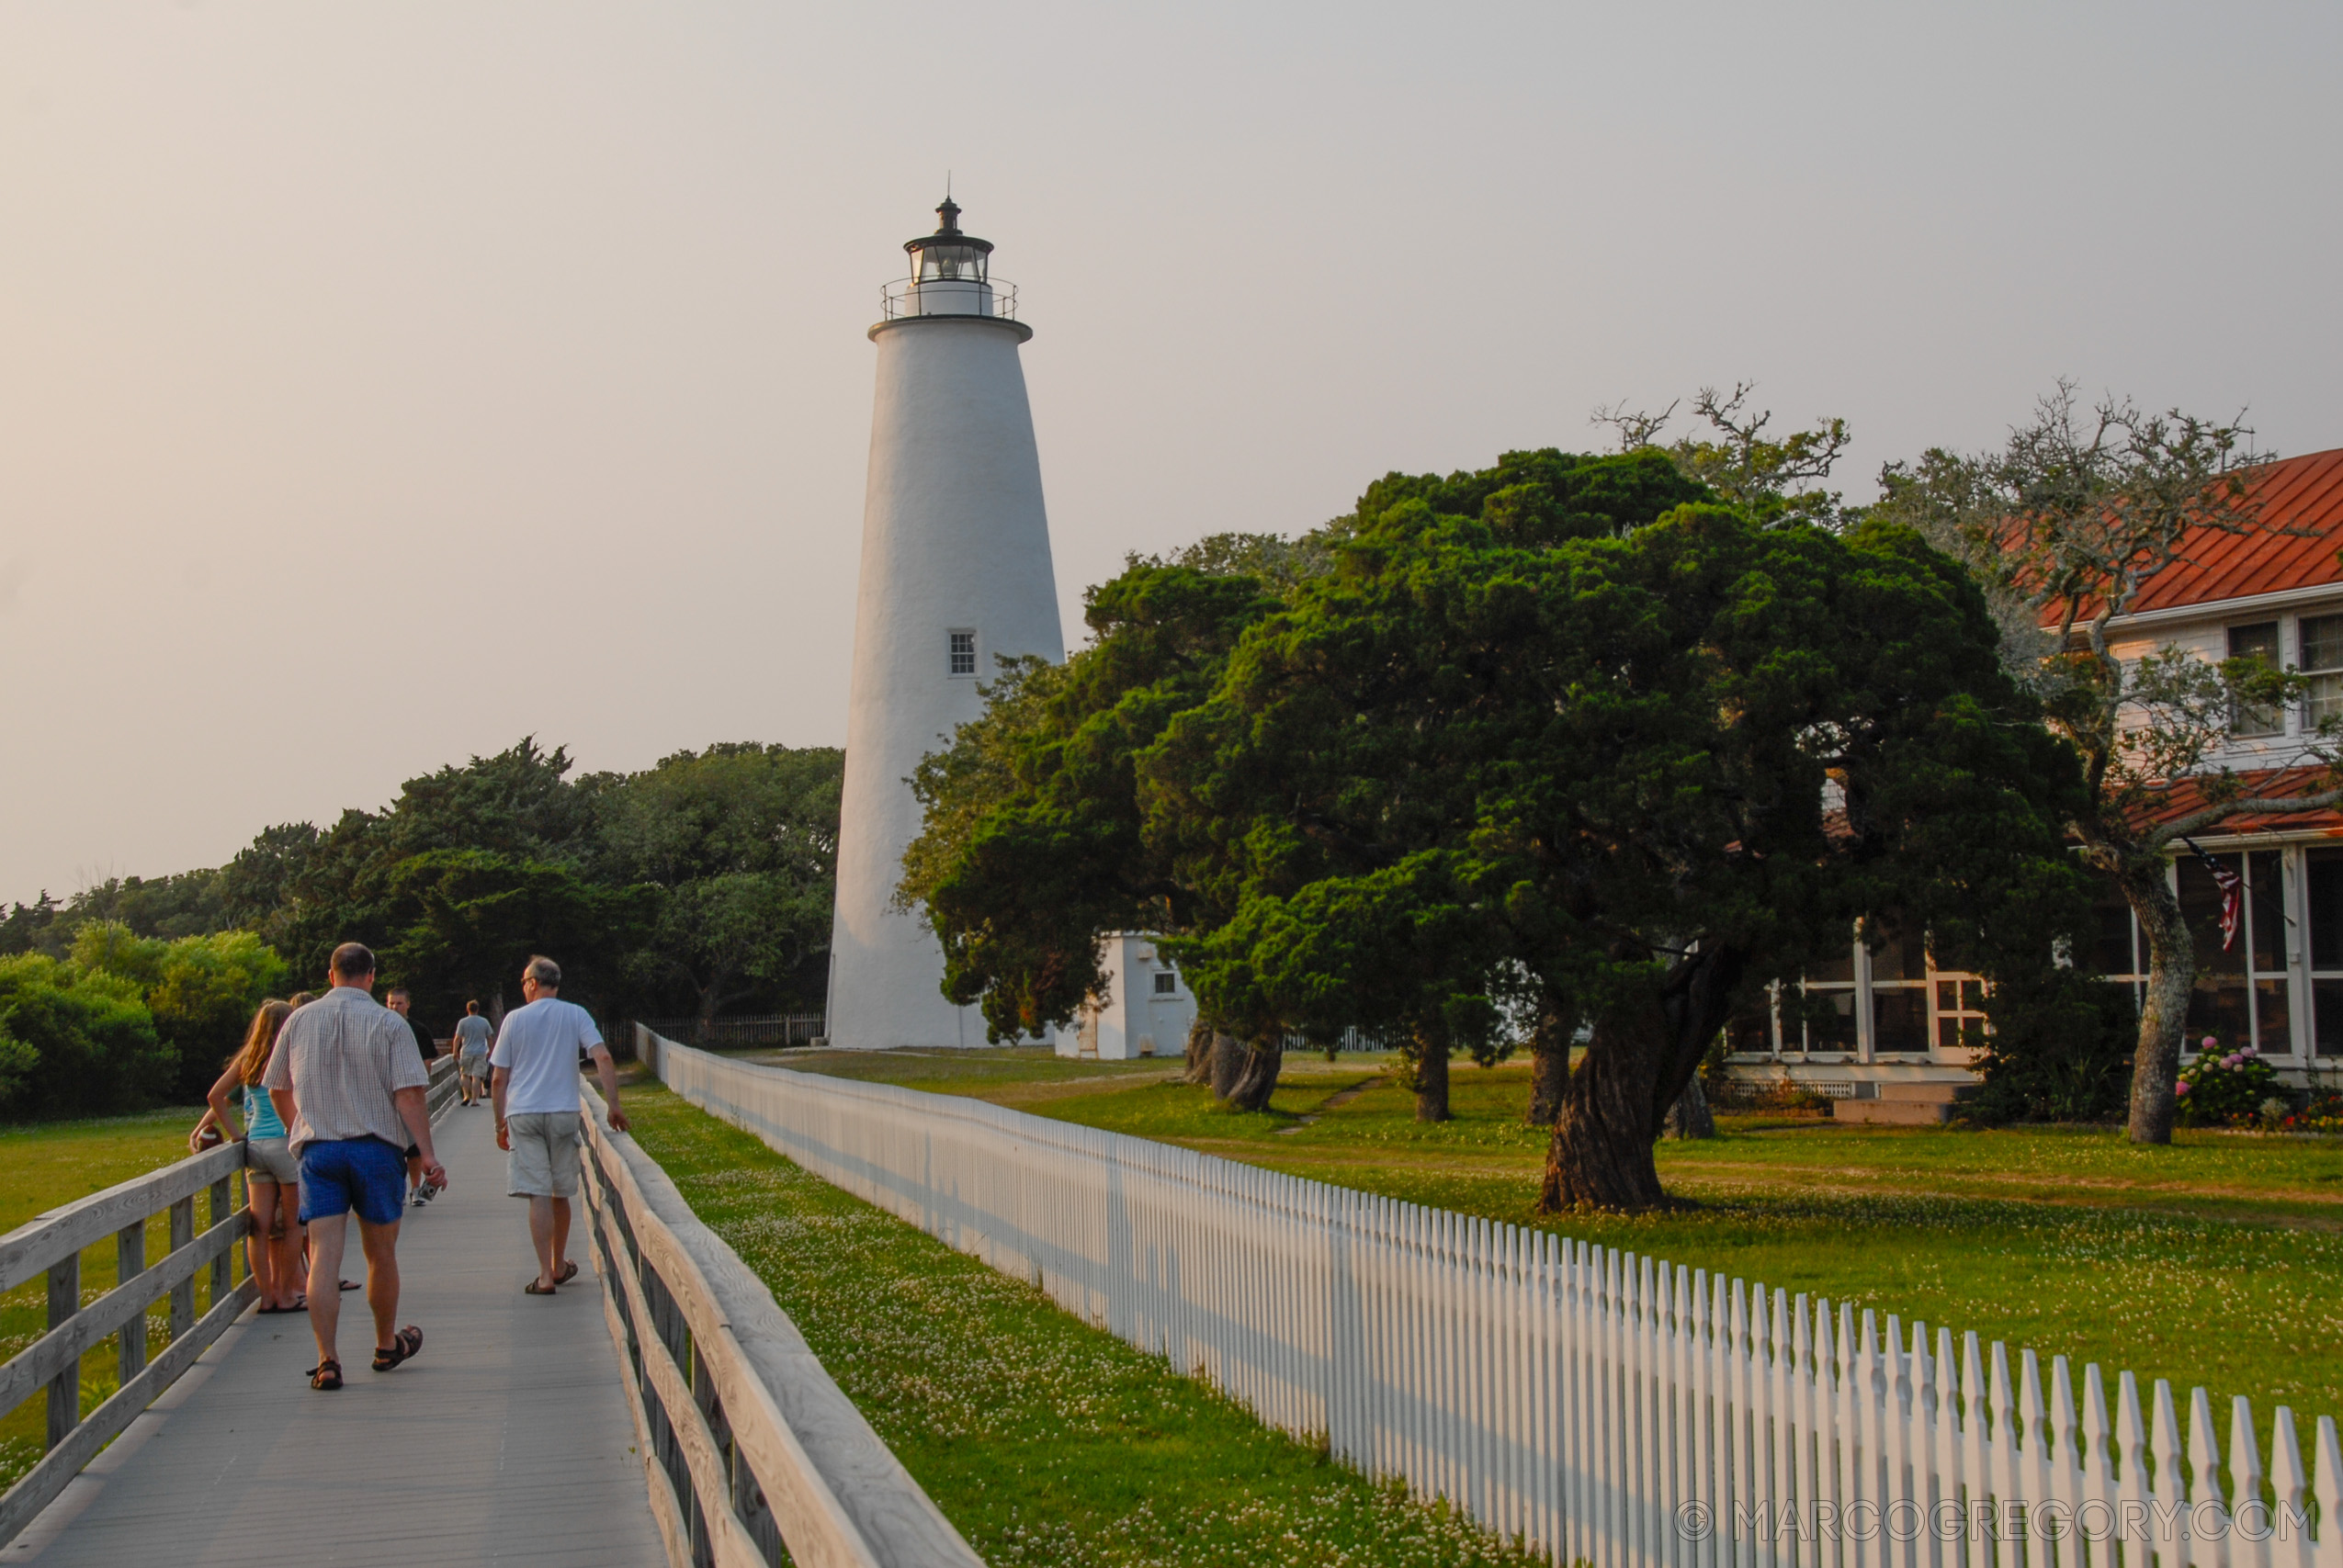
<point x="53" y="1243"/>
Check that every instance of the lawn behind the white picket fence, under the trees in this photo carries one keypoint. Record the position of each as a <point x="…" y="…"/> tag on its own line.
<point x="2213" y="1262"/>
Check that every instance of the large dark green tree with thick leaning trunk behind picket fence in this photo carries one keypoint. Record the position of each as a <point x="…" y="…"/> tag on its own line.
<point x="1648" y="775"/>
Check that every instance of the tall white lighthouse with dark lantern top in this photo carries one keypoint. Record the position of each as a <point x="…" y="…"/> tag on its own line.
<point x="955" y="573"/>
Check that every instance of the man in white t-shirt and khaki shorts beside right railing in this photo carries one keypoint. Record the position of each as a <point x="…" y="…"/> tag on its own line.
<point x="535" y="1084"/>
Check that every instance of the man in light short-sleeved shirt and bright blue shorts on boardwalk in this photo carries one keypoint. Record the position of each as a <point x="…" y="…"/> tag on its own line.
<point x="350" y="1089"/>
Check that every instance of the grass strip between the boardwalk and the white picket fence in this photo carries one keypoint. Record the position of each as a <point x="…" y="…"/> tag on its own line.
<point x="1041" y="1438"/>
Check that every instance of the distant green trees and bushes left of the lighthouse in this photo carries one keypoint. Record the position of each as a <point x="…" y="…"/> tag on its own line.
<point x="702" y="885"/>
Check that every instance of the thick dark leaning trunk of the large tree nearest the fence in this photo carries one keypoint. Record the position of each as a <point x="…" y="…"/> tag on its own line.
<point x="1637" y="1068"/>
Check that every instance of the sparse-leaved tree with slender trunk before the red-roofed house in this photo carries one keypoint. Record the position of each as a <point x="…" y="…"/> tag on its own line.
<point x="2068" y="526"/>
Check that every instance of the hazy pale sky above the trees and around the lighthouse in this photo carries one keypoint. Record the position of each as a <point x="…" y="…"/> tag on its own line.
<point x="383" y="383"/>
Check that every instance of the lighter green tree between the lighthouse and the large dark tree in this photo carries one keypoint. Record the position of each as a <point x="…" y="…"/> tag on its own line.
<point x="1041" y="833"/>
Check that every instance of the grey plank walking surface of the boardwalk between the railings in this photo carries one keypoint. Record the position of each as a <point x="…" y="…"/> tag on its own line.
<point x="505" y="1443"/>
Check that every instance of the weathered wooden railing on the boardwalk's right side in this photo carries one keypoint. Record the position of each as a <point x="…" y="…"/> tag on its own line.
<point x="746" y="1440"/>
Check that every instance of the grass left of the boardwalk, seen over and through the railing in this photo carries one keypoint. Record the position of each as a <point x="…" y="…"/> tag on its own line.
<point x="53" y="1164"/>
